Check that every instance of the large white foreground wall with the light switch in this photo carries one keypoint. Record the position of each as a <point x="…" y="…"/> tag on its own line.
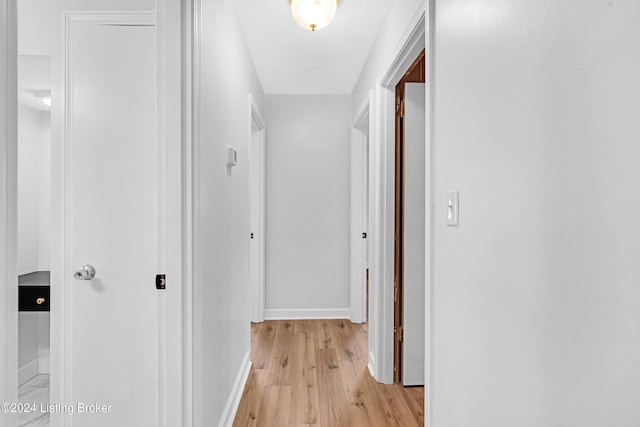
<point x="536" y="293"/>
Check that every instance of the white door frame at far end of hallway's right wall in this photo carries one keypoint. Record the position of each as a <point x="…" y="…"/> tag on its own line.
<point x="359" y="196"/>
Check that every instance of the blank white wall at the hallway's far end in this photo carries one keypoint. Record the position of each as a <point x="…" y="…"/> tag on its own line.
<point x="308" y="140"/>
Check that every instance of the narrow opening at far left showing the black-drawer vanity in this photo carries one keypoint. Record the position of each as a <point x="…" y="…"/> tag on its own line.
<point x="34" y="213"/>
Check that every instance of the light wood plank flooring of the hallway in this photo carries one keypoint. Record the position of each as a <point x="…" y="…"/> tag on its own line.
<point x="314" y="373"/>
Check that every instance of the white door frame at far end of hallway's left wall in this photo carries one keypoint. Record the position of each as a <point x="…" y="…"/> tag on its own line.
<point x="257" y="265"/>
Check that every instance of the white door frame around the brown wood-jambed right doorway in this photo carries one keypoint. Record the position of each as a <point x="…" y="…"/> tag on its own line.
<point x="418" y="34"/>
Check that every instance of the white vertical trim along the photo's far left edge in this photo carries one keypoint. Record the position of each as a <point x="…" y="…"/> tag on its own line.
<point x="8" y="207"/>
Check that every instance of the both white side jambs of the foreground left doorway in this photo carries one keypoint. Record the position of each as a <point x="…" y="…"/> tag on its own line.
<point x="174" y="133"/>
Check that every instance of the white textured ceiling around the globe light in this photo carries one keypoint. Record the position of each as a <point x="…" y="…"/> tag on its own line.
<point x="292" y="60"/>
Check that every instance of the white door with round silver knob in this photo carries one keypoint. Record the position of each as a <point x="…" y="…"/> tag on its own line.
<point x="111" y="332"/>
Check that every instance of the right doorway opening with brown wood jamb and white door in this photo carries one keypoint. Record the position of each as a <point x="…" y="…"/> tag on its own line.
<point x="409" y="246"/>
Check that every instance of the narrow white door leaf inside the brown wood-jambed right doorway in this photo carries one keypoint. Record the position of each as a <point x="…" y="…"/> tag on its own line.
<point x="414" y="232"/>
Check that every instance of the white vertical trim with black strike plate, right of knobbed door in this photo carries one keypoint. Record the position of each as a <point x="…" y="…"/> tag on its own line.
<point x="174" y="303"/>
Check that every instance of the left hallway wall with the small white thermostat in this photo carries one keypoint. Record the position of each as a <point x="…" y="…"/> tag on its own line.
<point x="228" y="76"/>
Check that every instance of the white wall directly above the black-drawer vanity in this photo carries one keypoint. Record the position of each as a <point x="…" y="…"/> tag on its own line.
<point x="34" y="192"/>
